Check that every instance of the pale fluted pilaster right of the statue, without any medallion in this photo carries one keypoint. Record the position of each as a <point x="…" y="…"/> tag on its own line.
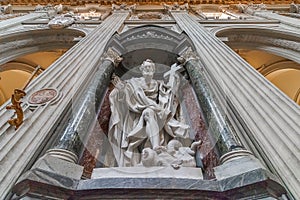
<point x="269" y="118"/>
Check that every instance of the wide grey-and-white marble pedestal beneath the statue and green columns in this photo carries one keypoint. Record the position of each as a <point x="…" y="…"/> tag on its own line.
<point x="49" y="179"/>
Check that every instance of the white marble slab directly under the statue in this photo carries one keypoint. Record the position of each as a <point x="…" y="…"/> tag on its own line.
<point x="147" y="172"/>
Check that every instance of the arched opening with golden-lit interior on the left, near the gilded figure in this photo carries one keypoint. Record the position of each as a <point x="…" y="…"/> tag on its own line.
<point x="18" y="51"/>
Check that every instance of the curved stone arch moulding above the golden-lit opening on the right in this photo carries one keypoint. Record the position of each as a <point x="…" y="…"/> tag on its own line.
<point x="283" y="43"/>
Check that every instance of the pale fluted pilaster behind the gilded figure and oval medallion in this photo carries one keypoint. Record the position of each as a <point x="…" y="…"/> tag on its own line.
<point x="69" y="75"/>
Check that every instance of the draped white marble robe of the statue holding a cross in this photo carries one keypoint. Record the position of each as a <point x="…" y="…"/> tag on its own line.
<point x="127" y="134"/>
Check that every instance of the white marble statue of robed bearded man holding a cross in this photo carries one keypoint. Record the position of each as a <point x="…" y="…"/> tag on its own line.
<point x="145" y="114"/>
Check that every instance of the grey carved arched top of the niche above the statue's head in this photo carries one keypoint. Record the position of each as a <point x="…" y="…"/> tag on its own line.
<point x="154" y="42"/>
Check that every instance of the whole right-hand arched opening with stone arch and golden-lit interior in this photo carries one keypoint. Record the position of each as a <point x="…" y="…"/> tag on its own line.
<point x="270" y="51"/>
